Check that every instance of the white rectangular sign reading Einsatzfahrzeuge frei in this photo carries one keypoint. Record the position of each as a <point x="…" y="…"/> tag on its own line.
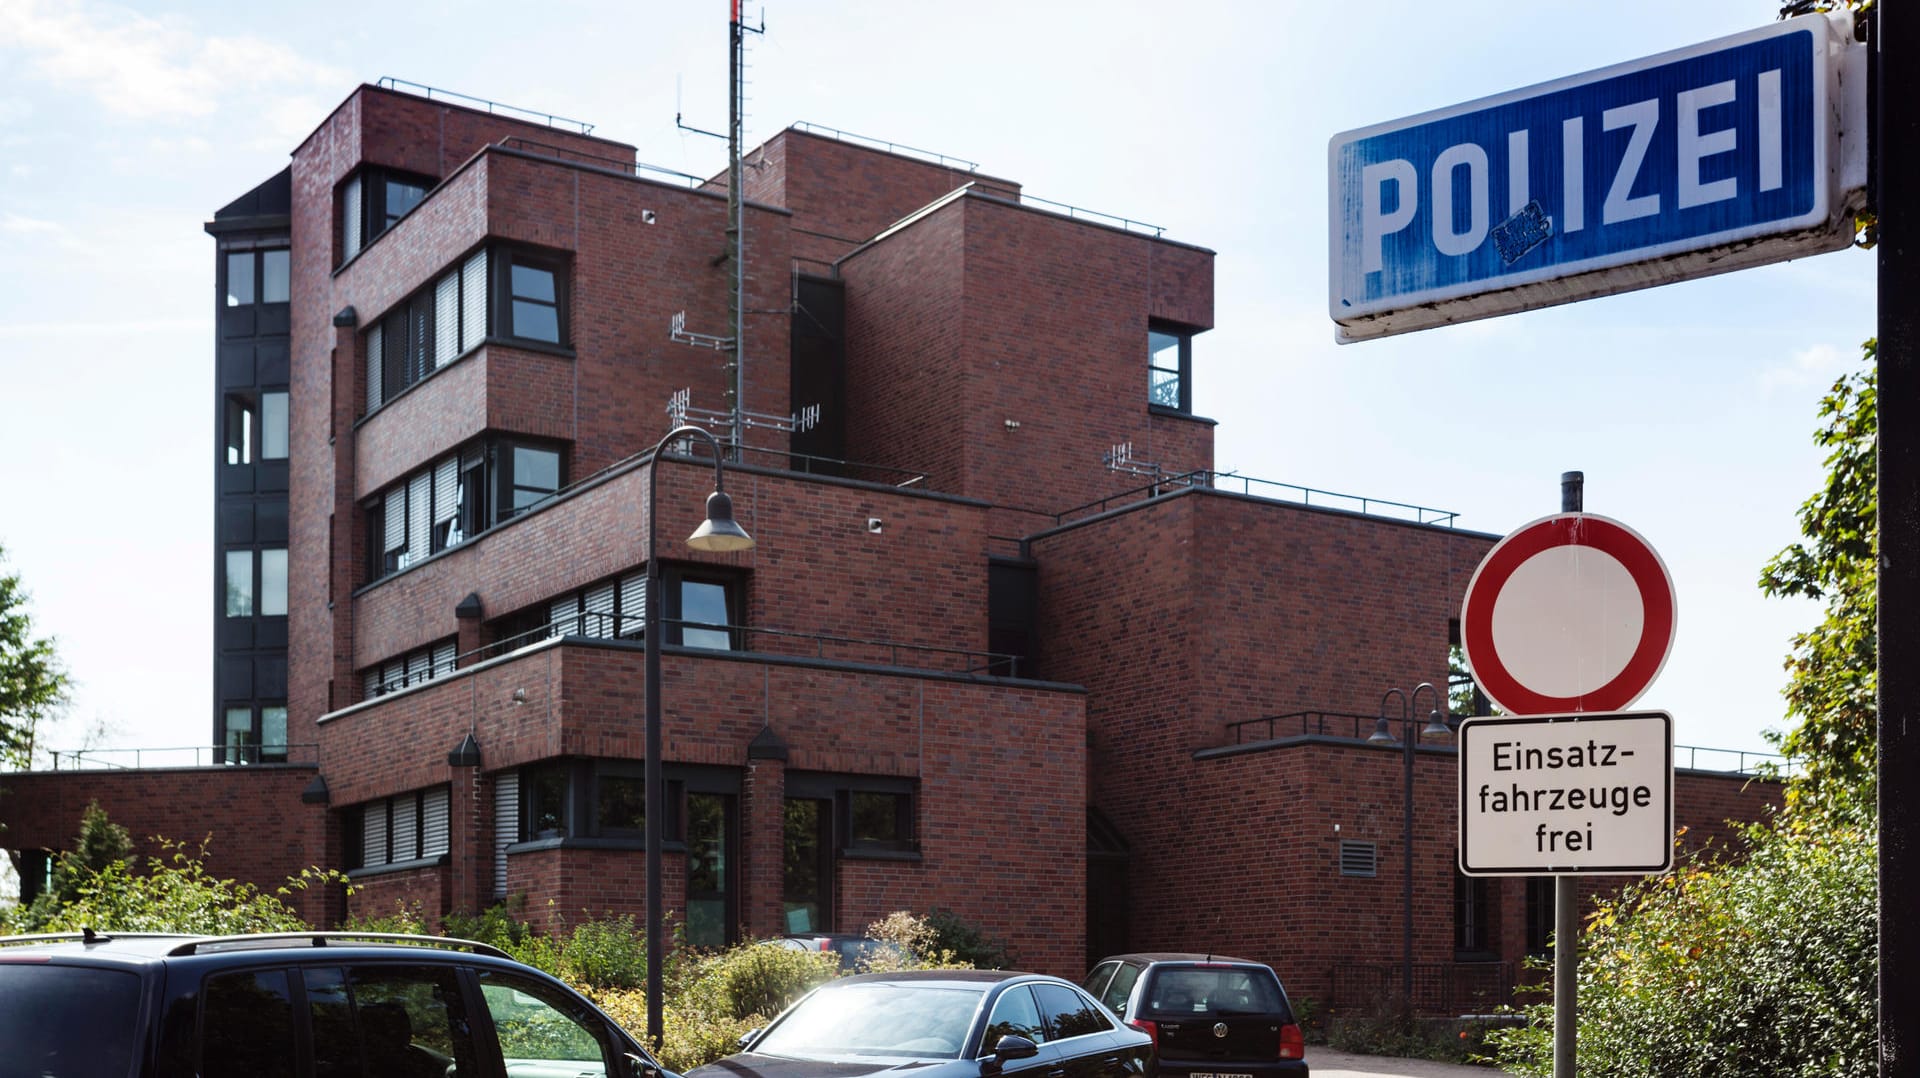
<point x="1568" y="795"/>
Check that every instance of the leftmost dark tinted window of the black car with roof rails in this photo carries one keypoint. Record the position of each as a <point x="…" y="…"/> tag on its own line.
<point x="66" y="1019"/>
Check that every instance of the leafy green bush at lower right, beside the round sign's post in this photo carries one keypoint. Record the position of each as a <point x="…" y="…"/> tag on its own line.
<point x="1754" y="968"/>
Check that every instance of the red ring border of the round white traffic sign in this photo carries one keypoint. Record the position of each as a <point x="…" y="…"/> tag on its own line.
<point x="1570" y="529"/>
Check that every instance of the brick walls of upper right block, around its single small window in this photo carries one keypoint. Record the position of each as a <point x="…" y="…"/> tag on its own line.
<point x="957" y="322"/>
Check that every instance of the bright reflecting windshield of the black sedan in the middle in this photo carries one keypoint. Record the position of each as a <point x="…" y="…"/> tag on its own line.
<point x="921" y="1021"/>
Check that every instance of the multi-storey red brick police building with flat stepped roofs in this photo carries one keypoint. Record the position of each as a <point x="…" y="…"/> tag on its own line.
<point x="1005" y="645"/>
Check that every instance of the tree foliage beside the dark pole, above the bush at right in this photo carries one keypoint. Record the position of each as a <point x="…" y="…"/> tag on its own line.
<point x="1833" y="668"/>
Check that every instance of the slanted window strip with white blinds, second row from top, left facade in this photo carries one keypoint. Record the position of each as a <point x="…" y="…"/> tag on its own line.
<point x="427" y="331"/>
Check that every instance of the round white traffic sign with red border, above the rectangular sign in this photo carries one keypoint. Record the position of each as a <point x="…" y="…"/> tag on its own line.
<point x="1568" y="614"/>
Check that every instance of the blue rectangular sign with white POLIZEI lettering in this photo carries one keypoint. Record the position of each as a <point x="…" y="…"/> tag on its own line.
<point x="1692" y="162"/>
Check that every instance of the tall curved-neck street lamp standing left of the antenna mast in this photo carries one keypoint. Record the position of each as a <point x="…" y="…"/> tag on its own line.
<point x="717" y="535"/>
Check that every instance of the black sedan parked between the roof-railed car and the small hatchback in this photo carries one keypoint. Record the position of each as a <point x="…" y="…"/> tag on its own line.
<point x="944" y="1025"/>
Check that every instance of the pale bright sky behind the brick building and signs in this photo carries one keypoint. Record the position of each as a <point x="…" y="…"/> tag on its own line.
<point x="1691" y="408"/>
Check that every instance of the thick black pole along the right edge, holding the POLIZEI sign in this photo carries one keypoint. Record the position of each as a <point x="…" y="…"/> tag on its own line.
<point x="1896" y="41"/>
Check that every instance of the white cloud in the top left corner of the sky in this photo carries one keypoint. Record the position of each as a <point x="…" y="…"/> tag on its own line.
<point x="149" y="68"/>
